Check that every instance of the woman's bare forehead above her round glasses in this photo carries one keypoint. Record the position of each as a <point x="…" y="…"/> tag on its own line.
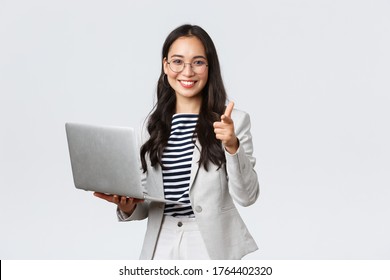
<point x="187" y="47"/>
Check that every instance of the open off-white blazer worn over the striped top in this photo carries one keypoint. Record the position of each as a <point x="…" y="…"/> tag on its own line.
<point x="211" y="194"/>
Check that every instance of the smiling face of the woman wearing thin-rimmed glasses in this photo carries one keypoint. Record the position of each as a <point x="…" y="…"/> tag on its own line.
<point x="189" y="82"/>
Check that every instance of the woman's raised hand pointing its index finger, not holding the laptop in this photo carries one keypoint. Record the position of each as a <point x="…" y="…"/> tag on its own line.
<point x="224" y="130"/>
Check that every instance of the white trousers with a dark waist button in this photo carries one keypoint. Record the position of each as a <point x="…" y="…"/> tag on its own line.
<point x="180" y="239"/>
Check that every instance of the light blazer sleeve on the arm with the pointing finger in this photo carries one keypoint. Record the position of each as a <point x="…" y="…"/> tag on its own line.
<point x="242" y="178"/>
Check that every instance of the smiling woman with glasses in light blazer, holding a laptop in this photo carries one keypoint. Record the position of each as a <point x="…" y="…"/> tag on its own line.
<point x="198" y="151"/>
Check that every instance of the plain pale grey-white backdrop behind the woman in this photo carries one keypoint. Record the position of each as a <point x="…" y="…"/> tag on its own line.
<point x="313" y="75"/>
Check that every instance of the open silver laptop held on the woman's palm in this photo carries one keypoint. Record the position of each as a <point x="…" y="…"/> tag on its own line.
<point x="105" y="159"/>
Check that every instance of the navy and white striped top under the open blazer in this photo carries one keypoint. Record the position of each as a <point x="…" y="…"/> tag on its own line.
<point x="177" y="159"/>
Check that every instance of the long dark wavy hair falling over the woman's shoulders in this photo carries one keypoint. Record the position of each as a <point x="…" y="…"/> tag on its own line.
<point x="213" y="106"/>
